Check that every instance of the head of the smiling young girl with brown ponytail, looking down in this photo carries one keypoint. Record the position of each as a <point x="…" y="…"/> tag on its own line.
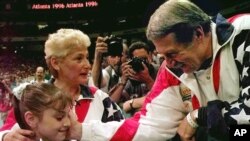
<point x="44" y="109"/>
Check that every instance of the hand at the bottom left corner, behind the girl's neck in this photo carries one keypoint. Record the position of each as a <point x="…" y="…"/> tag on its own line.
<point x="19" y="135"/>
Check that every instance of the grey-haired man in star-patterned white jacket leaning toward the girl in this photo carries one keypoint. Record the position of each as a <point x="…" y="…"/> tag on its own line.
<point x="207" y="67"/>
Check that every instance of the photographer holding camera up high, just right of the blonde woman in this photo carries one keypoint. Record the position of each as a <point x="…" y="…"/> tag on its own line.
<point x="114" y="49"/>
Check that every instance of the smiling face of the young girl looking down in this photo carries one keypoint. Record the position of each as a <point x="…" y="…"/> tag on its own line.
<point x="54" y="125"/>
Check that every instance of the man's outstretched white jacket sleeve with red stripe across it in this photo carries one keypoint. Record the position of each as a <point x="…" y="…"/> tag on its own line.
<point x="159" y="121"/>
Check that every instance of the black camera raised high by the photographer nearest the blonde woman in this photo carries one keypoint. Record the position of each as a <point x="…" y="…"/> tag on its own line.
<point x="115" y="47"/>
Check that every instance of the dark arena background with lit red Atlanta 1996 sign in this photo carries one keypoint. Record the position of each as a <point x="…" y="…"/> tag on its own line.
<point x="25" y="24"/>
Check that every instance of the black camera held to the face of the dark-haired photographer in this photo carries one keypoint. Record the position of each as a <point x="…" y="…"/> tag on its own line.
<point x="136" y="63"/>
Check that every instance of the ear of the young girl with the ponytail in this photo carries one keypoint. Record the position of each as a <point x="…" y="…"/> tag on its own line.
<point x="31" y="119"/>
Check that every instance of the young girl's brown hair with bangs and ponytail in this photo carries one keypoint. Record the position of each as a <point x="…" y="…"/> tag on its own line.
<point x="37" y="98"/>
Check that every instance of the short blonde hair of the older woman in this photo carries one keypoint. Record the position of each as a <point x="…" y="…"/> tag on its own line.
<point x="60" y="43"/>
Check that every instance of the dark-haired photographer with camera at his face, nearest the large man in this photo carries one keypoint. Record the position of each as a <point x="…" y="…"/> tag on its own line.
<point x="137" y="78"/>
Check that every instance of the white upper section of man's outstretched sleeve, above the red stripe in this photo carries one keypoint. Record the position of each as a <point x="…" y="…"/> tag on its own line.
<point x="163" y="117"/>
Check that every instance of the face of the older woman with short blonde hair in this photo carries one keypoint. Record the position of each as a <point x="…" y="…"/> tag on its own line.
<point x="74" y="68"/>
